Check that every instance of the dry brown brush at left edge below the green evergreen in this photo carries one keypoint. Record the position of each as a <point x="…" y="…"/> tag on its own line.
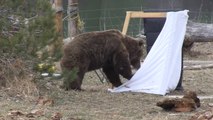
<point x="16" y="76"/>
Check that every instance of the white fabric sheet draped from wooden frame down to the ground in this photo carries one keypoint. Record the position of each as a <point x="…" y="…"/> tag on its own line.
<point x="161" y="69"/>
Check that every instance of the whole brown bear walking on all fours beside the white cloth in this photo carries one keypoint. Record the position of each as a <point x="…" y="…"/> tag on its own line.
<point x="110" y="50"/>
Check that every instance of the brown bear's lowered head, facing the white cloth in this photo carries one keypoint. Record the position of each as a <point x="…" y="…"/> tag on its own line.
<point x="134" y="47"/>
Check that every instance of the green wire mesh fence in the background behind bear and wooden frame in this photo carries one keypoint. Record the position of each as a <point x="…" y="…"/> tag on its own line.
<point x="98" y="15"/>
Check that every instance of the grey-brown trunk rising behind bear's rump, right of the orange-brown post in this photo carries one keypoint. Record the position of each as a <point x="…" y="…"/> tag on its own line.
<point x="73" y="18"/>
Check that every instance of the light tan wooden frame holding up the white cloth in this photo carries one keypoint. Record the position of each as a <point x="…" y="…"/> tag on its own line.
<point x="140" y="14"/>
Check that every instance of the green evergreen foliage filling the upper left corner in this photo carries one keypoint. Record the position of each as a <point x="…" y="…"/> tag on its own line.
<point x="26" y="26"/>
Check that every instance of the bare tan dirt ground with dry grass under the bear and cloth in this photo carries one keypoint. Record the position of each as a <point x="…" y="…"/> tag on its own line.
<point x="49" y="102"/>
